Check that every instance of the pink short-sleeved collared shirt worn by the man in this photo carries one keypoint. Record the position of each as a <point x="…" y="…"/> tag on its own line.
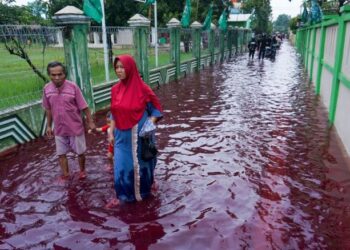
<point x="65" y="103"/>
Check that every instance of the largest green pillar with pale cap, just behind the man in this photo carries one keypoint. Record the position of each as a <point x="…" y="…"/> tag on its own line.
<point x="75" y="49"/>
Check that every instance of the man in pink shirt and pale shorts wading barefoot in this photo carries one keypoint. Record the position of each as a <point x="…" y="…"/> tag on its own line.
<point x="63" y="103"/>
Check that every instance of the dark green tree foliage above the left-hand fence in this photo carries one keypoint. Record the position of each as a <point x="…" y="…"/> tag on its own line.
<point x="118" y="12"/>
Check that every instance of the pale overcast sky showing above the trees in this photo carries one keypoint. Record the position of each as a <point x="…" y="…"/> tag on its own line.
<point x="278" y="7"/>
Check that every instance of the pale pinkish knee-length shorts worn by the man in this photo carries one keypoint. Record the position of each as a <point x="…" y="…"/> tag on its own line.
<point x="64" y="144"/>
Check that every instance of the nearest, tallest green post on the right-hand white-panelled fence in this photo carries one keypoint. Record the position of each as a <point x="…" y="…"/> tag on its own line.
<point x="338" y="63"/>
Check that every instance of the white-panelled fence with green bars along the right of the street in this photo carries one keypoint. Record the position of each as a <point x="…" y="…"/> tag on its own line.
<point x="325" y="51"/>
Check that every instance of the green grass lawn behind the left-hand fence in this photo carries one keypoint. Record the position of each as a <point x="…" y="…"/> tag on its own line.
<point x="19" y="84"/>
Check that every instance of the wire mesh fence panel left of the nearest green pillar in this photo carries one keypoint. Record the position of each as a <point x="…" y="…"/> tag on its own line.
<point x="25" y="52"/>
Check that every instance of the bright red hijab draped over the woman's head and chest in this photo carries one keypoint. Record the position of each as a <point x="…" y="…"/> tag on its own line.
<point x="130" y="96"/>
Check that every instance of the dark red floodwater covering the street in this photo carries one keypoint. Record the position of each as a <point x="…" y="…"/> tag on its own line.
<point x="246" y="162"/>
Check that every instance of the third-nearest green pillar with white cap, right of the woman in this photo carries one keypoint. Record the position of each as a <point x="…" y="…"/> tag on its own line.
<point x="174" y="25"/>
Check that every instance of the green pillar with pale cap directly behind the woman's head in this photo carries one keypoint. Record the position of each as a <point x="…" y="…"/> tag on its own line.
<point x="141" y="30"/>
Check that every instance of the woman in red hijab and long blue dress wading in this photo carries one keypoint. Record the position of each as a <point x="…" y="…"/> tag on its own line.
<point x="132" y="103"/>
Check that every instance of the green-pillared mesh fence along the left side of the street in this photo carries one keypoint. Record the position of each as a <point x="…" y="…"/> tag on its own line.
<point x="182" y="51"/>
